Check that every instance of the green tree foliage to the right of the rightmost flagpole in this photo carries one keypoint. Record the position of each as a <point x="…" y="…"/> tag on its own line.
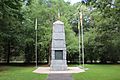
<point x="102" y="32"/>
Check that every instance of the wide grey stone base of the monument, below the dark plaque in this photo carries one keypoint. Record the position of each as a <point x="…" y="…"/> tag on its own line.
<point x="58" y="65"/>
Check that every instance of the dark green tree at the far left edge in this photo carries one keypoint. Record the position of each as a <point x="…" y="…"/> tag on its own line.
<point x="10" y="24"/>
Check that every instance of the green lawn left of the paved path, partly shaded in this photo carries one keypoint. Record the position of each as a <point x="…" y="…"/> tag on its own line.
<point x="19" y="73"/>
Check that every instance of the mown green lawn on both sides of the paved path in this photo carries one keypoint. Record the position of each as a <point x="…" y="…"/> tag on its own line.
<point x="95" y="72"/>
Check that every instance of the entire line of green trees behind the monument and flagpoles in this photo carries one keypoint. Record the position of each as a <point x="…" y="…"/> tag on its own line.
<point x="17" y="34"/>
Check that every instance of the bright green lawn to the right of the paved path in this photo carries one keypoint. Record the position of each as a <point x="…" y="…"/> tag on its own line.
<point x="99" y="72"/>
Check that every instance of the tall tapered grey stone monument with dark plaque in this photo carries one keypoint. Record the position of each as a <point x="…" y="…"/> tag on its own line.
<point x="58" y="48"/>
